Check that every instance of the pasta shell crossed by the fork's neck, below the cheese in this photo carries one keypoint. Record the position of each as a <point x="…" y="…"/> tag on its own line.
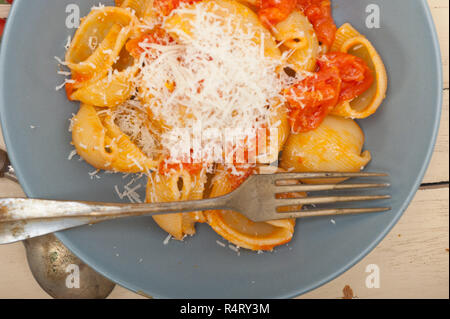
<point x="164" y="188"/>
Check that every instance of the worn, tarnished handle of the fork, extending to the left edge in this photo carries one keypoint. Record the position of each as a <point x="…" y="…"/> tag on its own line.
<point x="22" y="218"/>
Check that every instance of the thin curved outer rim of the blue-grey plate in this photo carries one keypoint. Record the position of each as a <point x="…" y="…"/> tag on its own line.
<point x="294" y="293"/>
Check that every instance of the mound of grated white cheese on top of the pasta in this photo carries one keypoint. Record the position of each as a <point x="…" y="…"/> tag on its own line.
<point x="218" y="79"/>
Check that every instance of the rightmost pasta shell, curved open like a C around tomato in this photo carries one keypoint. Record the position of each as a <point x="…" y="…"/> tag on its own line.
<point x="367" y="103"/>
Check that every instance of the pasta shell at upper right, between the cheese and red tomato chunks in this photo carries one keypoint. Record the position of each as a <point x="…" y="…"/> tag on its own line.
<point x="297" y="34"/>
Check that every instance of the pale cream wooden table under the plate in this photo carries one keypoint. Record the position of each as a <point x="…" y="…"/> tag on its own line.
<point x="413" y="259"/>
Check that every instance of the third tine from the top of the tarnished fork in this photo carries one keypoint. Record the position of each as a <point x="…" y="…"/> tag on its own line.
<point x="282" y="202"/>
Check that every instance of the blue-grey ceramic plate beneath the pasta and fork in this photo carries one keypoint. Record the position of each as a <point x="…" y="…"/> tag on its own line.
<point x="131" y="252"/>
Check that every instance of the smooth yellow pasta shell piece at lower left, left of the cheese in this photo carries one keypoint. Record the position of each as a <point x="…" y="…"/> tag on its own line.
<point x="89" y="138"/>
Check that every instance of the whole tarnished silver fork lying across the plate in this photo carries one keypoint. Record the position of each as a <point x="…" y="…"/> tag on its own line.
<point x="256" y="198"/>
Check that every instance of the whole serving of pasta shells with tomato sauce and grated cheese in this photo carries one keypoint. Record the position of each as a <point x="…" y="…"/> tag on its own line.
<point x="197" y="95"/>
